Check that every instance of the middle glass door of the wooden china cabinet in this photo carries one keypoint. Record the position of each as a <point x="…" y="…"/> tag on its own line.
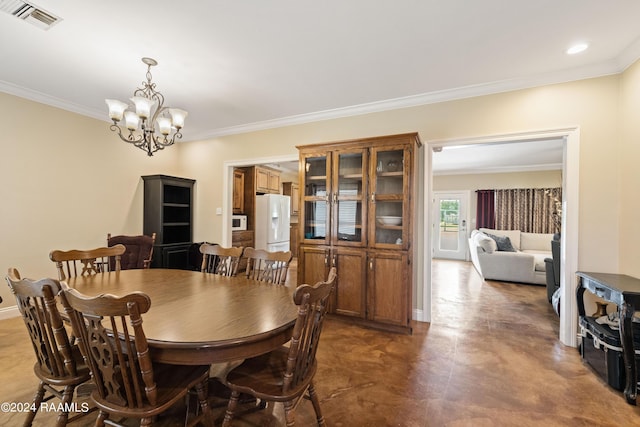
<point x="349" y="195"/>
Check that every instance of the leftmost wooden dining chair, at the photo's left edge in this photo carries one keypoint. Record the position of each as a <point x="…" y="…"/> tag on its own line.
<point x="59" y="364"/>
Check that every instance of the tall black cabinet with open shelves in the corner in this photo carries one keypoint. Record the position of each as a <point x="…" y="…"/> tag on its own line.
<point x="168" y="212"/>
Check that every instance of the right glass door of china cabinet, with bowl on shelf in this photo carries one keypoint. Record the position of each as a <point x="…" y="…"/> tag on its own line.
<point x="388" y="198"/>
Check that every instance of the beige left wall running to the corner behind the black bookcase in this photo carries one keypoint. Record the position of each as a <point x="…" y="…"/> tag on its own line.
<point x="66" y="182"/>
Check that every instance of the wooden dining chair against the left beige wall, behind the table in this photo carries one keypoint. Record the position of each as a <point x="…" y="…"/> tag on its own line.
<point x="80" y="262"/>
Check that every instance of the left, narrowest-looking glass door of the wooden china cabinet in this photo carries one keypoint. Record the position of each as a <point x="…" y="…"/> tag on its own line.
<point x="316" y="198"/>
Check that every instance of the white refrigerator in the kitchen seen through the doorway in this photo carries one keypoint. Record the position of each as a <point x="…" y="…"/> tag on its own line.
<point x="273" y="217"/>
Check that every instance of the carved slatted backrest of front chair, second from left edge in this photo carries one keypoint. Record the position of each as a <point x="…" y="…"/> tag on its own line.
<point x="121" y="368"/>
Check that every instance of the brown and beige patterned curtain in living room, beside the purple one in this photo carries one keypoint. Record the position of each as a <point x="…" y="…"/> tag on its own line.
<point x="532" y="210"/>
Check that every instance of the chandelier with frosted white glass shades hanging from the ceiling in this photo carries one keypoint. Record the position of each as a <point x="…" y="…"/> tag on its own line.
<point x="152" y="126"/>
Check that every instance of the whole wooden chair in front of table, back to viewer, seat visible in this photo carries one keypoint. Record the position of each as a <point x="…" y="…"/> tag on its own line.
<point x="128" y="382"/>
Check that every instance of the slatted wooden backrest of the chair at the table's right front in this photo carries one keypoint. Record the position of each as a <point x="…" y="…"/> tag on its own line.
<point x="312" y="302"/>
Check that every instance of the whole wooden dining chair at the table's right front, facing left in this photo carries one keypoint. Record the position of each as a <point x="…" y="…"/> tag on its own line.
<point x="286" y="374"/>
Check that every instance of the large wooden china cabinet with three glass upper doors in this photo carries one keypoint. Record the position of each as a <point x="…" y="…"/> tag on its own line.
<point x="357" y="204"/>
